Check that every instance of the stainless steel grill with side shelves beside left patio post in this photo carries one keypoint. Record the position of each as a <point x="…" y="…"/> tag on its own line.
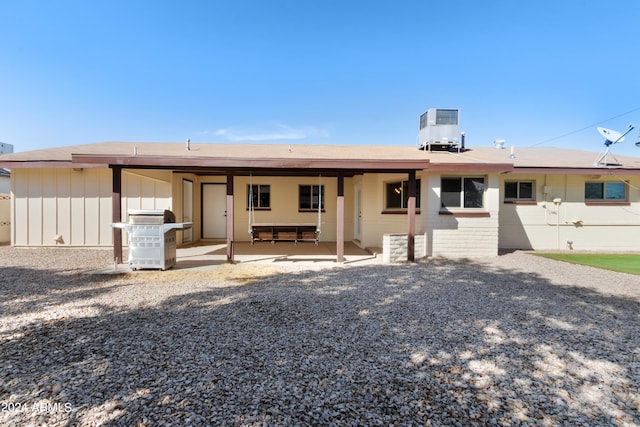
<point x="152" y="238"/>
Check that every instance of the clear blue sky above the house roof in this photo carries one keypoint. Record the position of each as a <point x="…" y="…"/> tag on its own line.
<point x="536" y="73"/>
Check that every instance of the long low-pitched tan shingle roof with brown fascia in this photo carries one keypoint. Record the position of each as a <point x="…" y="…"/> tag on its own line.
<point x="300" y="156"/>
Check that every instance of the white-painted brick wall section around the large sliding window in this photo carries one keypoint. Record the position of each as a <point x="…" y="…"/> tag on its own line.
<point x="462" y="236"/>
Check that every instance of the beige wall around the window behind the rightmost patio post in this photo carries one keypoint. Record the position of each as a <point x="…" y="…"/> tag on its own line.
<point x="374" y="221"/>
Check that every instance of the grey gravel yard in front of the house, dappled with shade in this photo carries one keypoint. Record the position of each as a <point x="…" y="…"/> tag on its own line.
<point x="512" y="340"/>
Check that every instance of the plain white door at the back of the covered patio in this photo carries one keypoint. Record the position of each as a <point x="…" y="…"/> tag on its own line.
<point x="214" y="211"/>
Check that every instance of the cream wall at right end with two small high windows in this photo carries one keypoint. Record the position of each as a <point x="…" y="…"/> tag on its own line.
<point x="545" y="226"/>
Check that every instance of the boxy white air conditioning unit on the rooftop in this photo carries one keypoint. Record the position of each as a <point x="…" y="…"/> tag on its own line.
<point x="439" y="129"/>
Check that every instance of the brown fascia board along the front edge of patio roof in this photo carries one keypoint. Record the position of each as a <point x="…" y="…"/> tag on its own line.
<point x="234" y="162"/>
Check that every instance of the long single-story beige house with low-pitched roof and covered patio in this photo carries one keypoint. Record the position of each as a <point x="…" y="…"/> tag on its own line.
<point x="467" y="203"/>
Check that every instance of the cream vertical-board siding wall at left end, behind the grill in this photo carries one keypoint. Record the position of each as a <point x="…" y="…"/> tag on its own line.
<point x="76" y="204"/>
